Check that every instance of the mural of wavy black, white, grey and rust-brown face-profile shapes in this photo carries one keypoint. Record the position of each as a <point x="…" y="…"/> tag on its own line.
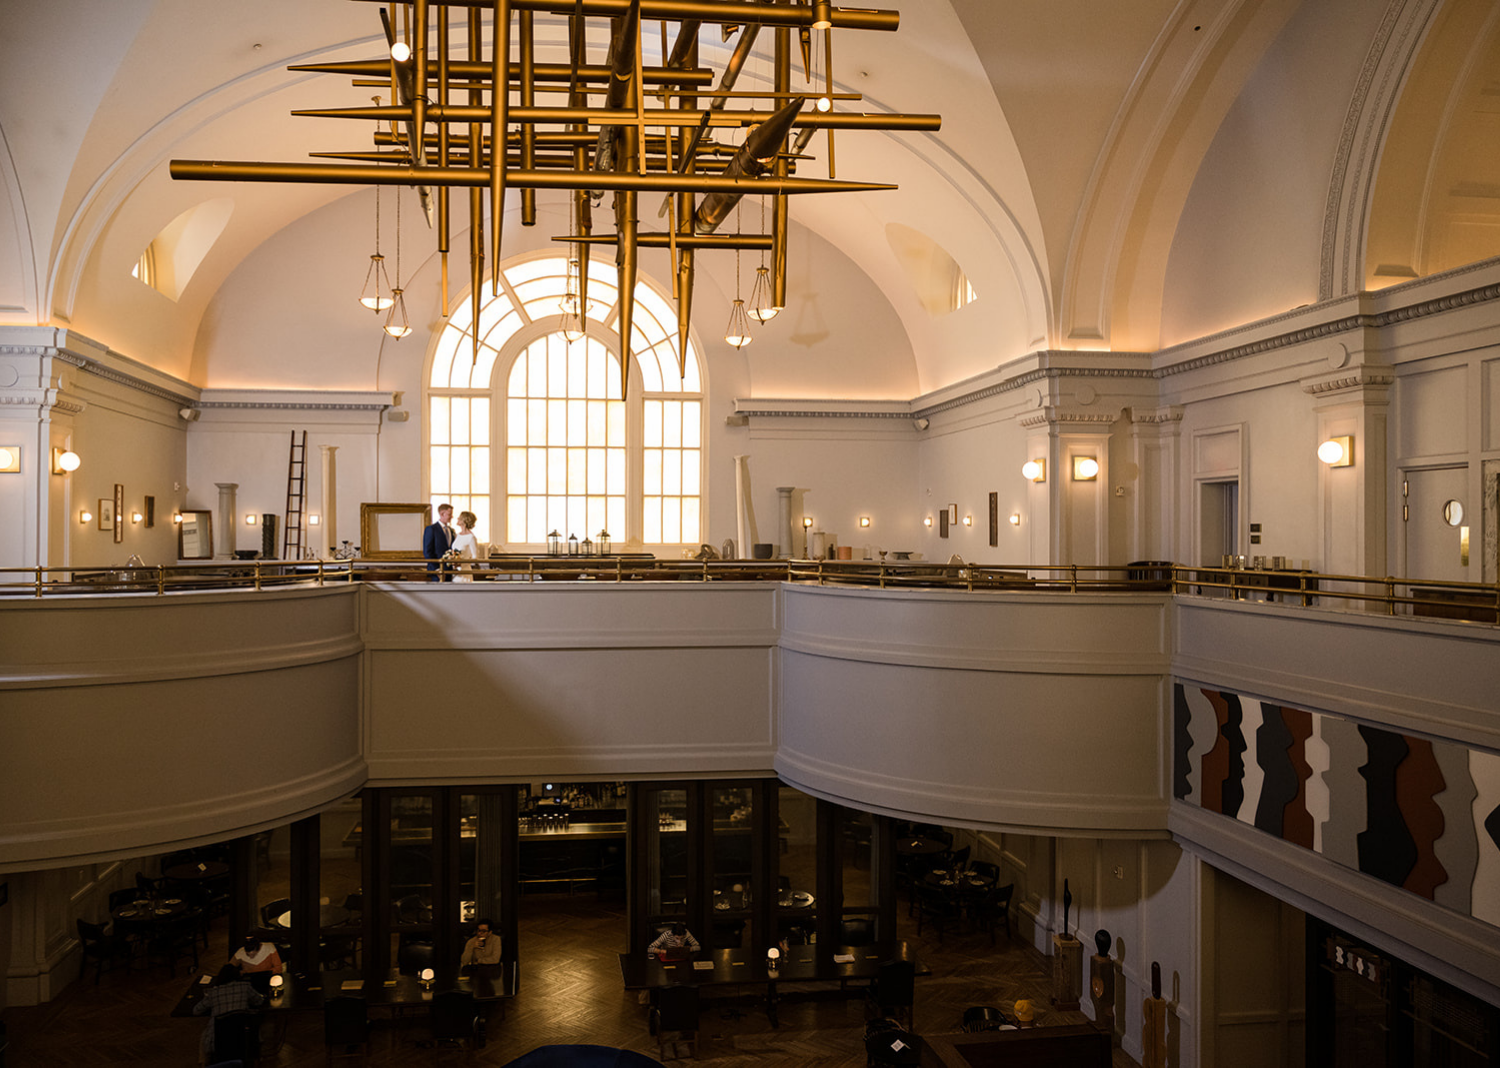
<point x="1415" y="814"/>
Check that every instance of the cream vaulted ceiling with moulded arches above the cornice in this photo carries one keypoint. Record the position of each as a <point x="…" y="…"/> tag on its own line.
<point x="1087" y="158"/>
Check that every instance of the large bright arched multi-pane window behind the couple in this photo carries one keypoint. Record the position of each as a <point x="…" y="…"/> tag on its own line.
<point x="533" y="436"/>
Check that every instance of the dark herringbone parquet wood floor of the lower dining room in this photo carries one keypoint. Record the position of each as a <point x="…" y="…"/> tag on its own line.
<point x="571" y="992"/>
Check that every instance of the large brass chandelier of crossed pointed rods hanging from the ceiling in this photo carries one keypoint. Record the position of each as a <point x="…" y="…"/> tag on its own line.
<point x="625" y="128"/>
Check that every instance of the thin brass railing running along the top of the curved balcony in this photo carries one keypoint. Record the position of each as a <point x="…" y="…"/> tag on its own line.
<point x="1390" y="596"/>
